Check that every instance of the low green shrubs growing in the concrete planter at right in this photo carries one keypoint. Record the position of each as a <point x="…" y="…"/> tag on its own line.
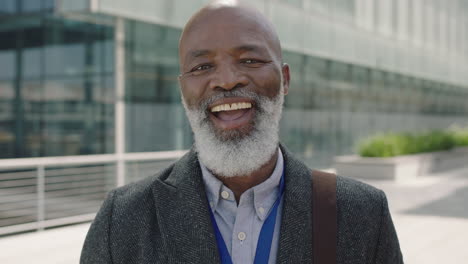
<point x="397" y="144"/>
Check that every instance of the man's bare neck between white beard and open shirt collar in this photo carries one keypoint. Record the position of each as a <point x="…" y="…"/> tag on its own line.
<point x="239" y="184"/>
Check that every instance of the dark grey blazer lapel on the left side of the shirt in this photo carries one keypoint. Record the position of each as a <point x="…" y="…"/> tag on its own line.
<point x="183" y="216"/>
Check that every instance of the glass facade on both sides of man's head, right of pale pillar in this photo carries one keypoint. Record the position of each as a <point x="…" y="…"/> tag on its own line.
<point x="331" y="104"/>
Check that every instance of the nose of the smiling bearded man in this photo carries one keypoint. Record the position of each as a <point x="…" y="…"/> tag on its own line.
<point x="228" y="77"/>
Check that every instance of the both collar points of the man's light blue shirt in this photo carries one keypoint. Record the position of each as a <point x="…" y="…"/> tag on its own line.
<point x="264" y="194"/>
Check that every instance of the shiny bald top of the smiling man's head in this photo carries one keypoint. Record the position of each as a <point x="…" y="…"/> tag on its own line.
<point x="219" y="18"/>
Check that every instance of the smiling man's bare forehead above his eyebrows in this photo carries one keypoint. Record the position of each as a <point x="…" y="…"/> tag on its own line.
<point x="226" y="30"/>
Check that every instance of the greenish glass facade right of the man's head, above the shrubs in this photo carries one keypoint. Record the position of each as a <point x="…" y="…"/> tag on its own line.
<point x="331" y="105"/>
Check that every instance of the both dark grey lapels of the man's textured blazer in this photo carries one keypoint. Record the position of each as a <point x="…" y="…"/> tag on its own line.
<point x="184" y="220"/>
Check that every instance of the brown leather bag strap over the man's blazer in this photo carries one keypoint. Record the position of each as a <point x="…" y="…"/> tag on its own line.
<point x="324" y="223"/>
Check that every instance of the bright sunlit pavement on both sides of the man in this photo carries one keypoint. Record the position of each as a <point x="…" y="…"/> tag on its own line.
<point x="430" y="215"/>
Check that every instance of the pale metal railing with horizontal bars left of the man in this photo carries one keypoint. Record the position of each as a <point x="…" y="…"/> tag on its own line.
<point x="37" y="193"/>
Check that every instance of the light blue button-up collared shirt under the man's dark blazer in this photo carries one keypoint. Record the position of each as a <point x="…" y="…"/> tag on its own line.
<point x="240" y="225"/>
